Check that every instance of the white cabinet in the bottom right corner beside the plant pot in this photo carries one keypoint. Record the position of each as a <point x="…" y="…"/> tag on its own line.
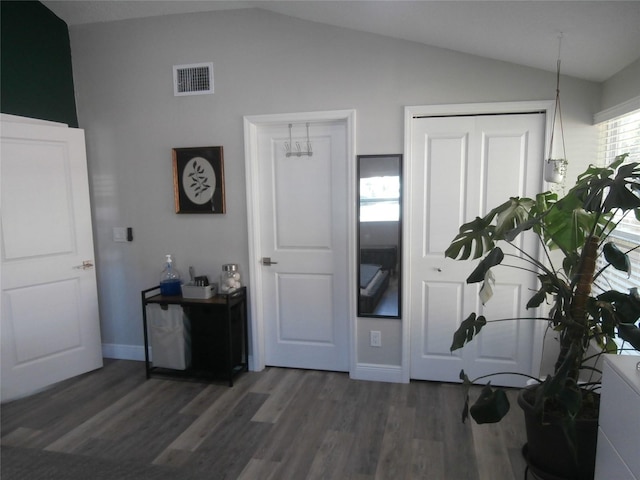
<point x="617" y="456"/>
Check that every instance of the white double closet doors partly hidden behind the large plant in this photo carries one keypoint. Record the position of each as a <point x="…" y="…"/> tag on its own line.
<point x="461" y="167"/>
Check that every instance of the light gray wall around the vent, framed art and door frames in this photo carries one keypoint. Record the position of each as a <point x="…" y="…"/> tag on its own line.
<point x="264" y="63"/>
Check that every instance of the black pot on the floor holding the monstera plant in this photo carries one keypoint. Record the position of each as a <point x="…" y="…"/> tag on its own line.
<point x="547" y="451"/>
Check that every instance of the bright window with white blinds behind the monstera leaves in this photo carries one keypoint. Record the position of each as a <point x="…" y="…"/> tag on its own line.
<point x="617" y="136"/>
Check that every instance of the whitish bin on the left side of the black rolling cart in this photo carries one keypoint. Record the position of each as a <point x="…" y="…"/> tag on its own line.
<point x="170" y="336"/>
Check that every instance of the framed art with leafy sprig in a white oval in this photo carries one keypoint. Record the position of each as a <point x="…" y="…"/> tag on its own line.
<point x="198" y="180"/>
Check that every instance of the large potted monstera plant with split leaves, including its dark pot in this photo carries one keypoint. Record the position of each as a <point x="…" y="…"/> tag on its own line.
<point x="582" y="307"/>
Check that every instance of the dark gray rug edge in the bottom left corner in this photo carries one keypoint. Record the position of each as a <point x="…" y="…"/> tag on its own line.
<point x="30" y="464"/>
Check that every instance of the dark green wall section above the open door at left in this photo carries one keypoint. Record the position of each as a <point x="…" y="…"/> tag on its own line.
<point x="36" y="77"/>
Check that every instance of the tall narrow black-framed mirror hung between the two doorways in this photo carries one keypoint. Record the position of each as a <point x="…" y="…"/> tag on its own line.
<point x="379" y="235"/>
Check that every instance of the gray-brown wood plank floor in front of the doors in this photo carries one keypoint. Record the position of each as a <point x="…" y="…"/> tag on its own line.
<point x="275" y="424"/>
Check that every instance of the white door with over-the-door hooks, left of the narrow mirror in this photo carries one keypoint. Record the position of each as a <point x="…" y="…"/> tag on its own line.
<point x="303" y="216"/>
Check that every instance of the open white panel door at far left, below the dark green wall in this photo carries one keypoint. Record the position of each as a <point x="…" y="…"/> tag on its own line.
<point x="50" y="327"/>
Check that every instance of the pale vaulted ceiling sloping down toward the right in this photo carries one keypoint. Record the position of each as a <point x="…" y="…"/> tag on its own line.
<point x="598" y="38"/>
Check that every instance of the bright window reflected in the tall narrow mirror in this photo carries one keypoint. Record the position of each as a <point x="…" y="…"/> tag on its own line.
<point x="380" y="199"/>
